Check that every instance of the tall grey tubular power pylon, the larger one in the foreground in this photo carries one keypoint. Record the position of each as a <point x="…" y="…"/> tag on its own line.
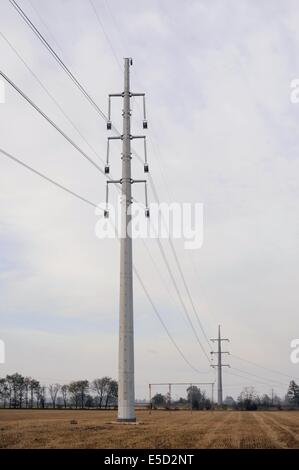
<point x="126" y="392"/>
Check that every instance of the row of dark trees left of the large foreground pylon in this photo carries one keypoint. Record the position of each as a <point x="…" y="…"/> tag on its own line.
<point x="17" y="391"/>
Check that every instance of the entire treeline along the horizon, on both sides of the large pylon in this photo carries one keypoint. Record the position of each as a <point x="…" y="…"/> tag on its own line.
<point x="17" y="391"/>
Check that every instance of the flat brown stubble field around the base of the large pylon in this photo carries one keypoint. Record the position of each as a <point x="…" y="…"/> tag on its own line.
<point x="161" y="429"/>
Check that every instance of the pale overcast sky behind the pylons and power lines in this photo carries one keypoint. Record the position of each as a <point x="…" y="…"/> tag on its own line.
<point x="222" y="132"/>
